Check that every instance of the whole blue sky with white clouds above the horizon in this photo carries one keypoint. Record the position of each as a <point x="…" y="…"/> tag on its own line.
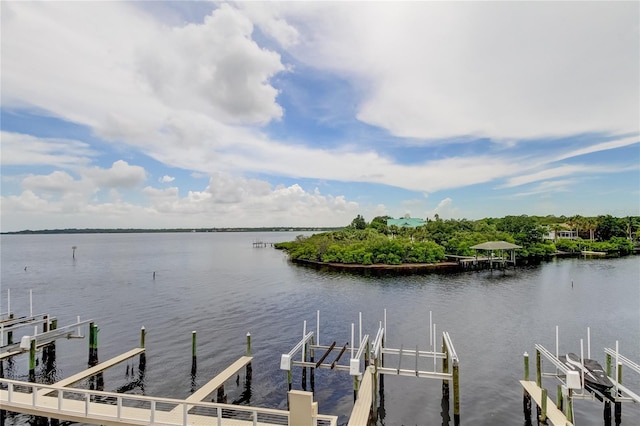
<point x="230" y="114"/>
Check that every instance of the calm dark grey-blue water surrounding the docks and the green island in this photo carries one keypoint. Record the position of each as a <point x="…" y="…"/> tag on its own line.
<point x="222" y="287"/>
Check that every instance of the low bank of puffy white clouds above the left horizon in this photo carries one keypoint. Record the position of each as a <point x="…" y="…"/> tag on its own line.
<point x="227" y="201"/>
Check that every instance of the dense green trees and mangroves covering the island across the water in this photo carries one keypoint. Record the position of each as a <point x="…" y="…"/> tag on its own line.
<point x="374" y="242"/>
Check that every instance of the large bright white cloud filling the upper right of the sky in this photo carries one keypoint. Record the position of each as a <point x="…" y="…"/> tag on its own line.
<point x="498" y="70"/>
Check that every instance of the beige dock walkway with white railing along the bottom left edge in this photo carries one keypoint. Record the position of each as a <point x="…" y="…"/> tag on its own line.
<point x="141" y="409"/>
